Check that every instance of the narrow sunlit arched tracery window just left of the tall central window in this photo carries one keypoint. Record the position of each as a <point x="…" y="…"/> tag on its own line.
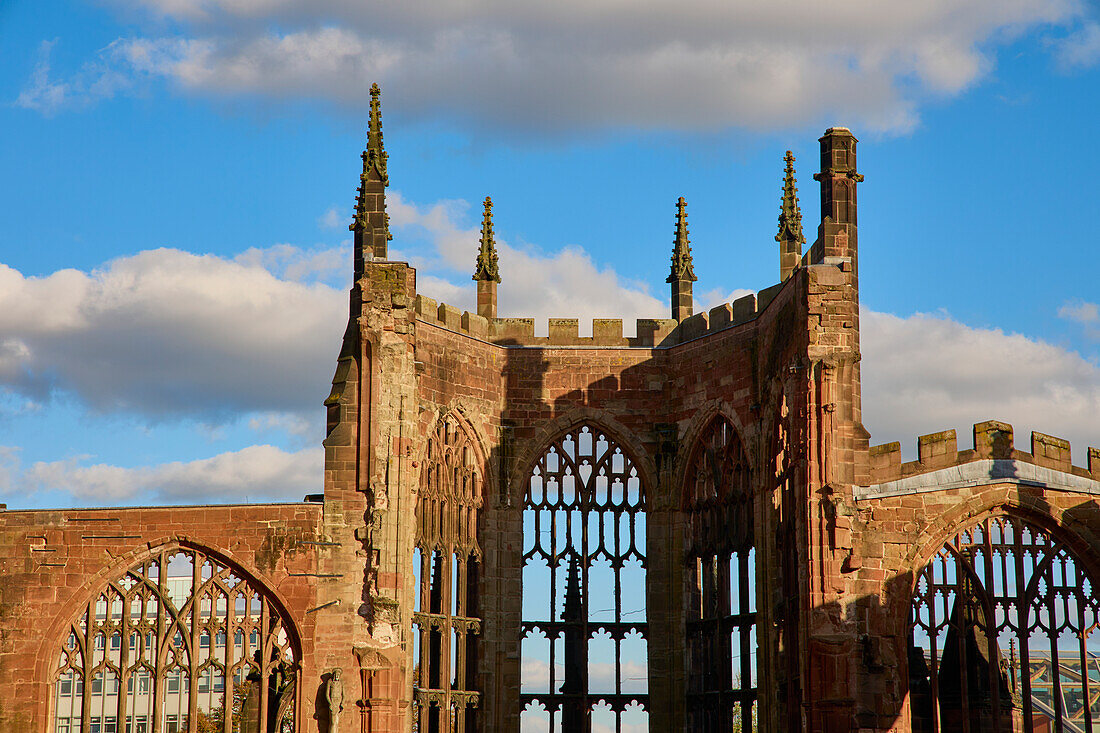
<point x="447" y="618"/>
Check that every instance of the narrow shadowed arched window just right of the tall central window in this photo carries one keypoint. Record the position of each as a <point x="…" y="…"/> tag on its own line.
<point x="718" y="505"/>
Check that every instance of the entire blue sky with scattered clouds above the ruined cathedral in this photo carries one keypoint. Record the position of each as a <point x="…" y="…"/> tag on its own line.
<point x="181" y="173"/>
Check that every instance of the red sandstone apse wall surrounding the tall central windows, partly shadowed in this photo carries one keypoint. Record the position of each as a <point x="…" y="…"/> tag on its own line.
<point x="654" y="400"/>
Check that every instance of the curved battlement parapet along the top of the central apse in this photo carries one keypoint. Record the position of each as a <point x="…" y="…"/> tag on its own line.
<point x="652" y="333"/>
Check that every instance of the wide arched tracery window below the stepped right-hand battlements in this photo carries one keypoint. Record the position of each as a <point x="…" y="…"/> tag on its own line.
<point x="1005" y="634"/>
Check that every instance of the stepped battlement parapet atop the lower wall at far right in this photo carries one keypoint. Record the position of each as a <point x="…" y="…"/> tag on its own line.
<point x="993" y="441"/>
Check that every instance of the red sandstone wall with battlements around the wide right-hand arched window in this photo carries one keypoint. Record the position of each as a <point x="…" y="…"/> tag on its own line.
<point x="895" y="537"/>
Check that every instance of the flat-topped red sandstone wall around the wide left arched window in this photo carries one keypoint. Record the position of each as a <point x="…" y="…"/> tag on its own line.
<point x="53" y="562"/>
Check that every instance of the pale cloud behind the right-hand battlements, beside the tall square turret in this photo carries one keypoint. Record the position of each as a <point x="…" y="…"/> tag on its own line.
<point x="928" y="374"/>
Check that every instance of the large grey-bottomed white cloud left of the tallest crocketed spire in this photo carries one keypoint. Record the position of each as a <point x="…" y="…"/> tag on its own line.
<point x="167" y="333"/>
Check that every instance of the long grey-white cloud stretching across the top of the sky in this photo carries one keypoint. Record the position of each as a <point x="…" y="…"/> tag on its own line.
<point x="593" y="64"/>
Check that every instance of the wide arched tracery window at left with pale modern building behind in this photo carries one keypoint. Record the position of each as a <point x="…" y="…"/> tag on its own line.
<point x="181" y="642"/>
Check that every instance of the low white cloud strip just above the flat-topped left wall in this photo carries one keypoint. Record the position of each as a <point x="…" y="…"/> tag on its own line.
<point x="254" y="474"/>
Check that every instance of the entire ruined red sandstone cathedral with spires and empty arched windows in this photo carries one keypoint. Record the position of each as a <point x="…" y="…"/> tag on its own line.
<point x="686" y="529"/>
